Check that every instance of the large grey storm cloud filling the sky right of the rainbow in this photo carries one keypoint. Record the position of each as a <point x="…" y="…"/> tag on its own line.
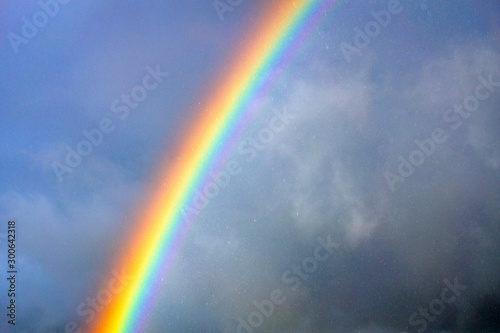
<point x="324" y="175"/>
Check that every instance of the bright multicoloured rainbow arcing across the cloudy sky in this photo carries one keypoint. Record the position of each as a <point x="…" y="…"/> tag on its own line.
<point x="156" y="239"/>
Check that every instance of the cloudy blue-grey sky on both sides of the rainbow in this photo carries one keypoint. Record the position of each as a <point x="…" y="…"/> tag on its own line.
<point x="373" y="207"/>
